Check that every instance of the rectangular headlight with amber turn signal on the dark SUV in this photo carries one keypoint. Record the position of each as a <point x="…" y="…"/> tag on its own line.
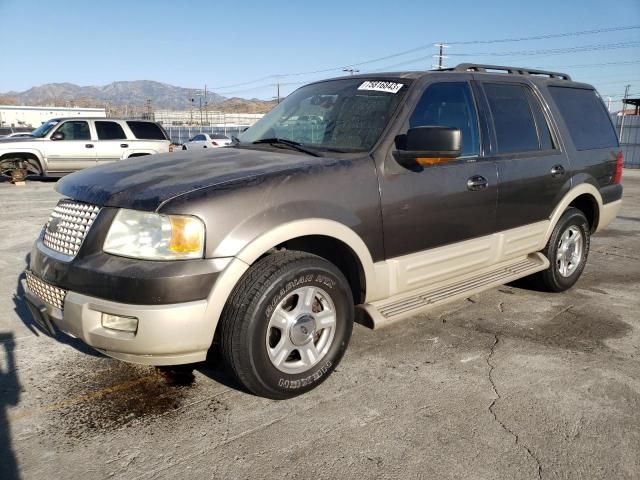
<point x="153" y="236"/>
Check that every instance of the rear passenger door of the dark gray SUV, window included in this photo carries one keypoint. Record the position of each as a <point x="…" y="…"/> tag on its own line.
<point x="534" y="173"/>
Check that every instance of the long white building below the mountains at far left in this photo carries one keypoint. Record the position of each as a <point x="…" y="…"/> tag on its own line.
<point x="33" y="117"/>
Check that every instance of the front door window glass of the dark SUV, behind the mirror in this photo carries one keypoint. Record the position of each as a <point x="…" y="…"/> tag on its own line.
<point x="449" y="104"/>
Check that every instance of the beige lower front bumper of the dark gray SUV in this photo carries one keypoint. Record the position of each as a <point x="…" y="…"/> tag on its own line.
<point x="167" y="334"/>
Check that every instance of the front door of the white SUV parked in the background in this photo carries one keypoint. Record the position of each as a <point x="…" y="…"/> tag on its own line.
<point x="74" y="151"/>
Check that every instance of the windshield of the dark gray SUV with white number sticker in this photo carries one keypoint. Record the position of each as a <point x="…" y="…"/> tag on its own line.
<point x="345" y="115"/>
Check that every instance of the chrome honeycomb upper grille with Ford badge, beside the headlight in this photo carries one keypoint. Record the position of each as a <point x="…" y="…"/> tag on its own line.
<point x="68" y="225"/>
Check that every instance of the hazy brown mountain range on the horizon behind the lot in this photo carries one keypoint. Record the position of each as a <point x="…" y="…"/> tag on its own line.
<point x="128" y="93"/>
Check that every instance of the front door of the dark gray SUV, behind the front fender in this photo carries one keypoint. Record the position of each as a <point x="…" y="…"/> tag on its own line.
<point x="444" y="203"/>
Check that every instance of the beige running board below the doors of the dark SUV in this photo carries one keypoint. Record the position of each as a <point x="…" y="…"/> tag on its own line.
<point x="399" y="307"/>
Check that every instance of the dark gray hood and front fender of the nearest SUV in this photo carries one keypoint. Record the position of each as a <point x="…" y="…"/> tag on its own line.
<point x="240" y="193"/>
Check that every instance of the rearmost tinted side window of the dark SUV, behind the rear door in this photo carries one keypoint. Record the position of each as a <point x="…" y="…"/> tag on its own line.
<point x="586" y="118"/>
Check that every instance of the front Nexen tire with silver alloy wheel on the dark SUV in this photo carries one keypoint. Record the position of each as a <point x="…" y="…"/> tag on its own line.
<point x="271" y="338"/>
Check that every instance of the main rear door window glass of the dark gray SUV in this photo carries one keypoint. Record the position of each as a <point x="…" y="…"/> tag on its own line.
<point x="512" y="117"/>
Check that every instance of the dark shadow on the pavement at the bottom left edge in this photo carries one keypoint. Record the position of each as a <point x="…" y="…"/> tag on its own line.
<point x="9" y="396"/>
